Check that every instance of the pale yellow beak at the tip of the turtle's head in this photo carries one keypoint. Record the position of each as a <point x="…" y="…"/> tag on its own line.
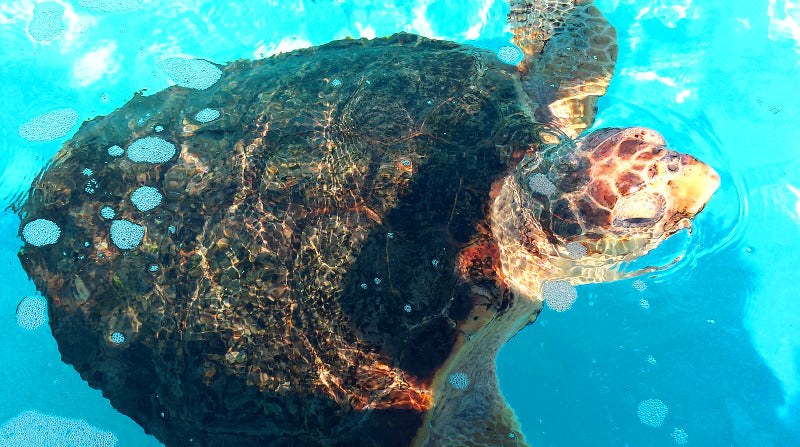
<point x="695" y="185"/>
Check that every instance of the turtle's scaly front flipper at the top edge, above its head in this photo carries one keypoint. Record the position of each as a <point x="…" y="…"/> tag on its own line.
<point x="570" y="51"/>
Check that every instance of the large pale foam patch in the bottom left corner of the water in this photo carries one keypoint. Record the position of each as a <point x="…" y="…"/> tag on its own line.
<point x="34" y="429"/>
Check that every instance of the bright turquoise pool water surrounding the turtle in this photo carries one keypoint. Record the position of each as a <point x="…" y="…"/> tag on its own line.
<point x="716" y="338"/>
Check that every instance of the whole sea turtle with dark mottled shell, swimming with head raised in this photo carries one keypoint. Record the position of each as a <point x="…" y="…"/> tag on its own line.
<point x="329" y="246"/>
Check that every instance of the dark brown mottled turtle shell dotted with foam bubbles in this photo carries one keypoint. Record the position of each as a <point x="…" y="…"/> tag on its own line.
<point x="290" y="276"/>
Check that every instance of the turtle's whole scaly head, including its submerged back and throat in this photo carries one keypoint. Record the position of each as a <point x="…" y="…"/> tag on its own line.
<point x="609" y="197"/>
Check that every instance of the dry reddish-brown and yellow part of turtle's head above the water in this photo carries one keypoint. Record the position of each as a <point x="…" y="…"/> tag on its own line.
<point x="637" y="187"/>
